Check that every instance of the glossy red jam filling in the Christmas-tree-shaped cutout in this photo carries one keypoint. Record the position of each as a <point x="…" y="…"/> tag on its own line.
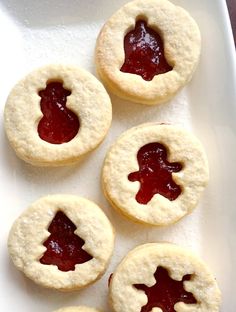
<point x="64" y="248"/>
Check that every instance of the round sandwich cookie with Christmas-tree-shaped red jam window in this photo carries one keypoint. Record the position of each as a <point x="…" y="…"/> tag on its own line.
<point x="62" y="242"/>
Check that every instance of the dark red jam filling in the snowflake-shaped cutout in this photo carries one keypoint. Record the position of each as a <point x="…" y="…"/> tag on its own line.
<point x="166" y="292"/>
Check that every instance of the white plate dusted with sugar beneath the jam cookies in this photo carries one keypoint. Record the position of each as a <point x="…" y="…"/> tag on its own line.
<point x="37" y="32"/>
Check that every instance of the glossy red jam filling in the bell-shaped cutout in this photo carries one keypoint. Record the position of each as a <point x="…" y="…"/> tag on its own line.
<point x="144" y="52"/>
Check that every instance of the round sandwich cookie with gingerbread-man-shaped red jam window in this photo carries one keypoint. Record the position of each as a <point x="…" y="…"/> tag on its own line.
<point x="155" y="173"/>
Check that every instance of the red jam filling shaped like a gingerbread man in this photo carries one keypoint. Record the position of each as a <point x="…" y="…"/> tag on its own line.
<point x="155" y="174"/>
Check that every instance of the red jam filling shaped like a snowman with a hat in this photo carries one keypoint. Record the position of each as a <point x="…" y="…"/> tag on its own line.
<point x="58" y="124"/>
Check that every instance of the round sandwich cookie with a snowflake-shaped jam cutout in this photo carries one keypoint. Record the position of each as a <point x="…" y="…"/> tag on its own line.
<point x="163" y="277"/>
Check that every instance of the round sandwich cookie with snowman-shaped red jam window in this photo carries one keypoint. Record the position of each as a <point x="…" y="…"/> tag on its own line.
<point x="56" y="114"/>
